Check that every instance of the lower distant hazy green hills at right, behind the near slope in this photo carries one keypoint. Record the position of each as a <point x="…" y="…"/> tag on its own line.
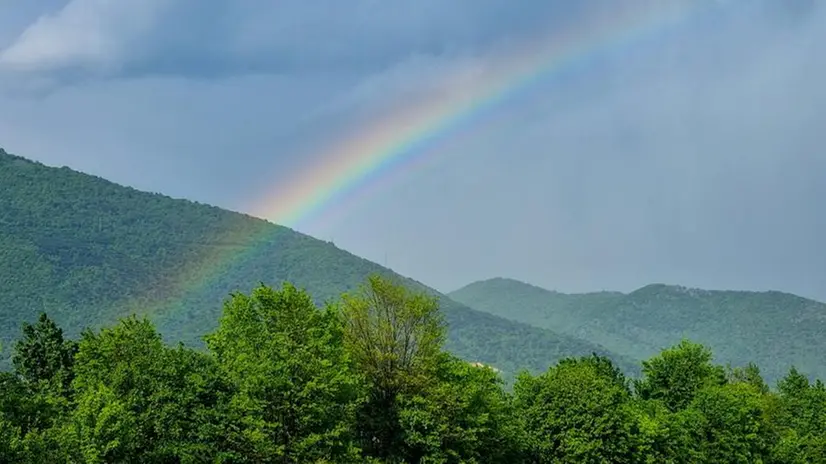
<point x="775" y="330"/>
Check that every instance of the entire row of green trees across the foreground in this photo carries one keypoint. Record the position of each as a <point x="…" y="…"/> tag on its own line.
<point x="365" y="379"/>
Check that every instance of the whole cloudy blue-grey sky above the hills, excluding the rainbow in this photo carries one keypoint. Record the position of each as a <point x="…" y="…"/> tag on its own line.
<point x="691" y="155"/>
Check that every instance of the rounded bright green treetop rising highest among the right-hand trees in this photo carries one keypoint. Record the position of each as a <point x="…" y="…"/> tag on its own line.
<point x="676" y="374"/>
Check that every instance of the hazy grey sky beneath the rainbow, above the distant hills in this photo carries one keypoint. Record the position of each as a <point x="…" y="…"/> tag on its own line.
<point x="696" y="159"/>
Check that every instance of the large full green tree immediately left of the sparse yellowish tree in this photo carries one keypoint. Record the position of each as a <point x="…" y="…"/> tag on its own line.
<point x="296" y="394"/>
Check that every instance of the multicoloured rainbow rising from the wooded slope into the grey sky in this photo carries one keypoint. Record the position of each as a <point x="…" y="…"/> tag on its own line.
<point x="396" y="143"/>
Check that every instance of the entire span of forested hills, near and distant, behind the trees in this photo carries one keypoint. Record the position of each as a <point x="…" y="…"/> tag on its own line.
<point x="88" y="252"/>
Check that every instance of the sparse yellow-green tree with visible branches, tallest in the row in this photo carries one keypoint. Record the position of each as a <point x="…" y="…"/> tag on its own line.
<point x="394" y="337"/>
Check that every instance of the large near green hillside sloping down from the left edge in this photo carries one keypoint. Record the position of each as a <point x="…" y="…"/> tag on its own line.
<point x="88" y="251"/>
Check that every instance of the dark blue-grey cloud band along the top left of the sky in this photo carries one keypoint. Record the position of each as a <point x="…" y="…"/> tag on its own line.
<point x="226" y="37"/>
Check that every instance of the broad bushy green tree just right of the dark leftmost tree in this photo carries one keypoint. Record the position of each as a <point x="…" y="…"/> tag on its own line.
<point x="138" y="400"/>
